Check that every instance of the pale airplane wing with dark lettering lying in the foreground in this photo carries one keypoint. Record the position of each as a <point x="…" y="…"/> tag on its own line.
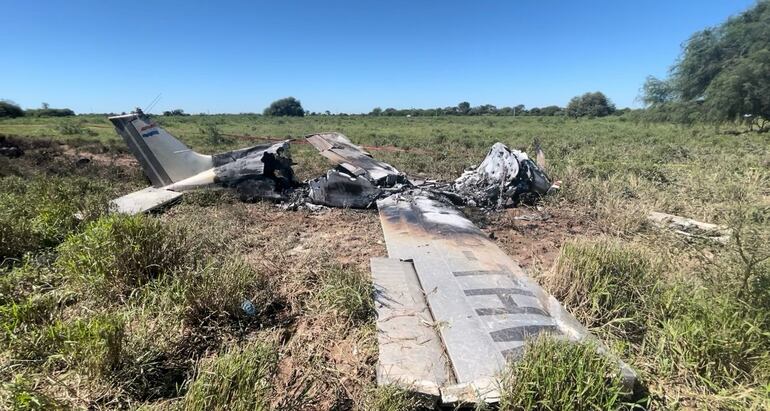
<point x="453" y="308"/>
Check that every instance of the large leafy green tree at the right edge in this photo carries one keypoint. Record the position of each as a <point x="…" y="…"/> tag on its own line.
<point x="727" y="68"/>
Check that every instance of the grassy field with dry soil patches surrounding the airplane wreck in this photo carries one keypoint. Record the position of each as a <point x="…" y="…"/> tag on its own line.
<point x="145" y="312"/>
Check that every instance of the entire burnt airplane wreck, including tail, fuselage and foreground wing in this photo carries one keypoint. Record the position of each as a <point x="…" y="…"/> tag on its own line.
<point x="452" y="307"/>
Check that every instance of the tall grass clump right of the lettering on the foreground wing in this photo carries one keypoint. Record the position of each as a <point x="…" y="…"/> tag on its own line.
<point x="605" y="284"/>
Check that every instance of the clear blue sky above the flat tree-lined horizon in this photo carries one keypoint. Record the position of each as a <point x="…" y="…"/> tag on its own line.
<point x="342" y="56"/>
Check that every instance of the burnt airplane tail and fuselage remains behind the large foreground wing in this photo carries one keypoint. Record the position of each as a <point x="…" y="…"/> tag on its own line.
<point x="264" y="172"/>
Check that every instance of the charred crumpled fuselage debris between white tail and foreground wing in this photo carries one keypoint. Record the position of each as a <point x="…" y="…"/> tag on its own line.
<point x="503" y="179"/>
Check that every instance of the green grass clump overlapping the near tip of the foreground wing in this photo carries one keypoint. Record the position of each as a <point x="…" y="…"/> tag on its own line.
<point x="559" y="375"/>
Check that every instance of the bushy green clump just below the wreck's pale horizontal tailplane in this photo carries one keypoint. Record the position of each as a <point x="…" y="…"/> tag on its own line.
<point x="118" y="253"/>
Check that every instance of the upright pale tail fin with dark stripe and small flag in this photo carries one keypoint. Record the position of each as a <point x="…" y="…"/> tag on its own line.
<point x="164" y="159"/>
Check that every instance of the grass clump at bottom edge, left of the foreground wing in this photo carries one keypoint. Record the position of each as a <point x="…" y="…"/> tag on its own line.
<point x="239" y="379"/>
